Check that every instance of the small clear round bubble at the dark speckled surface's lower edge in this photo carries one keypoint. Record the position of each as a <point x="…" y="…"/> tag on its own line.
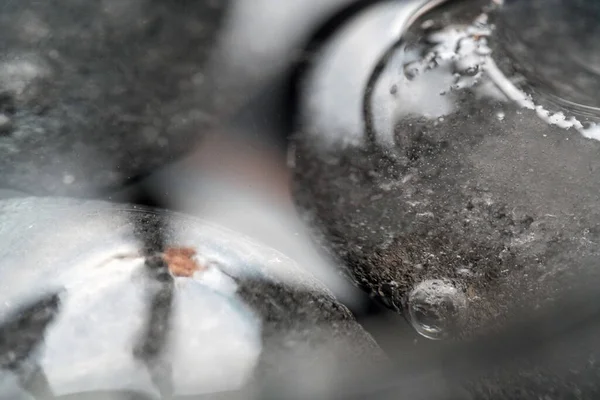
<point x="435" y="306"/>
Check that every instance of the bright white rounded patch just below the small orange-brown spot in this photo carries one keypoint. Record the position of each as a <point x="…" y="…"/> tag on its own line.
<point x="216" y="340"/>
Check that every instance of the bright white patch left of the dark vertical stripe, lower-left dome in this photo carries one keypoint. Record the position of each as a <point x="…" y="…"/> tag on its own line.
<point x="89" y="346"/>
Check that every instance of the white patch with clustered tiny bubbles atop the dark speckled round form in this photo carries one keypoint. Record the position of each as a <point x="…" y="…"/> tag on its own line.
<point x="425" y="76"/>
